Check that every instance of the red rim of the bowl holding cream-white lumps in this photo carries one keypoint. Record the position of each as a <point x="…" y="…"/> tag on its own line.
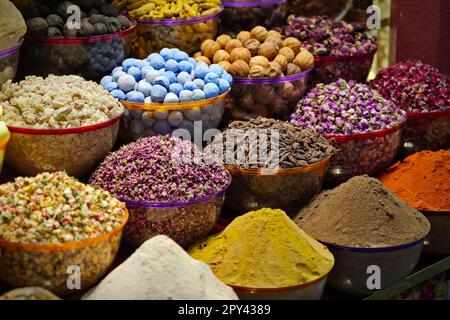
<point x="64" y="131"/>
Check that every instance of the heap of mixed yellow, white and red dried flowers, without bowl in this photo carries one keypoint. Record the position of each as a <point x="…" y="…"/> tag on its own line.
<point x="55" y="208"/>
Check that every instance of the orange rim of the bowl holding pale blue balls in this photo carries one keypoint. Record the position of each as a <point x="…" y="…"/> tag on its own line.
<point x="174" y="106"/>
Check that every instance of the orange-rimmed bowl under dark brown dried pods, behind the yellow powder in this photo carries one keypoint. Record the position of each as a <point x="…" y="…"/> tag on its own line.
<point x="286" y="189"/>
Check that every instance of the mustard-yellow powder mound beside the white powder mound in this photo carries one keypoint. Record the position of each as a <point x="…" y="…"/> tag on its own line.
<point x="264" y="249"/>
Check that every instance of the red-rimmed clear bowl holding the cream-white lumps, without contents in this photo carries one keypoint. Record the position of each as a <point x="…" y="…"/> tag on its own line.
<point x="74" y="150"/>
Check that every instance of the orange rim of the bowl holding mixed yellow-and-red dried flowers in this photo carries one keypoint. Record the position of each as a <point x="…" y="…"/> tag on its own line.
<point x="65" y="246"/>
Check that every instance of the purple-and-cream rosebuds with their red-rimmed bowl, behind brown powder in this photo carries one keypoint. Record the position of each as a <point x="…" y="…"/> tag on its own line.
<point x="344" y="109"/>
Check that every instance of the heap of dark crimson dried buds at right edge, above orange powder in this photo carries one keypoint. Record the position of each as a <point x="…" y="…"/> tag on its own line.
<point x="414" y="87"/>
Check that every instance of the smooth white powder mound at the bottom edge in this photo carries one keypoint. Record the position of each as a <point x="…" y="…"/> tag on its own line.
<point x="161" y="270"/>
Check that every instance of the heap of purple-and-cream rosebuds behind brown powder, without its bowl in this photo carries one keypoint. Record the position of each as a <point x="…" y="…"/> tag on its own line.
<point x="346" y="108"/>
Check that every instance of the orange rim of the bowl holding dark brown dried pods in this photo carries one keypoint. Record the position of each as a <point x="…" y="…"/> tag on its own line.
<point x="281" y="171"/>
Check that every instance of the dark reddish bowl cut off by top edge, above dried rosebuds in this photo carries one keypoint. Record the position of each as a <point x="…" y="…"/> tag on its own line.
<point x="336" y="9"/>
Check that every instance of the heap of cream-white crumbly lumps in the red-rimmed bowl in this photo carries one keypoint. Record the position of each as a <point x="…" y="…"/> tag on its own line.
<point x="56" y="102"/>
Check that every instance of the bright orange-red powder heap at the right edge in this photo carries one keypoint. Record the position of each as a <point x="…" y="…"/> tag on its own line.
<point x="422" y="180"/>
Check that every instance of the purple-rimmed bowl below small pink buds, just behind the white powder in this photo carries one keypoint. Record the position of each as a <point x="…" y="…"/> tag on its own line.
<point x="185" y="222"/>
